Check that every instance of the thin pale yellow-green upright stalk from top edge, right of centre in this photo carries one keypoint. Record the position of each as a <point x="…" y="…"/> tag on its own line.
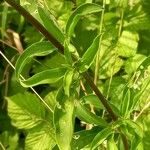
<point x="98" y="53"/>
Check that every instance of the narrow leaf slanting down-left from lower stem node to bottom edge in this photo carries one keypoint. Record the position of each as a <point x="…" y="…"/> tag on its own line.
<point x="100" y="137"/>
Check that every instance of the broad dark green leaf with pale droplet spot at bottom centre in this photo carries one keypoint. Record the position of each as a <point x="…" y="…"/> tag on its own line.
<point x="83" y="138"/>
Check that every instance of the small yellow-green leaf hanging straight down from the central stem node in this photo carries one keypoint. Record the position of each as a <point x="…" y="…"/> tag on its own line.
<point x="67" y="81"/>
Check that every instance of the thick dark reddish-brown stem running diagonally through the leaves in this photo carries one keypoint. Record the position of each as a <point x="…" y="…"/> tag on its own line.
<point x="60" y="47"/>
